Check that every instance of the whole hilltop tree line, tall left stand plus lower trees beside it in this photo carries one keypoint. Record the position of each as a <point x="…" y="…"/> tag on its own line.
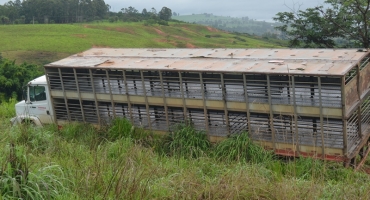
<point x="70" y="11"/>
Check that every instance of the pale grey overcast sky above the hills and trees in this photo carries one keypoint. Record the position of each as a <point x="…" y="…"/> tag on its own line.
<point x="255" y="9"/>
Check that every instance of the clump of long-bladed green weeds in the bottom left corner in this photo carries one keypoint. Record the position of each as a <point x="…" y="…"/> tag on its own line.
<point x="18" y="181"/>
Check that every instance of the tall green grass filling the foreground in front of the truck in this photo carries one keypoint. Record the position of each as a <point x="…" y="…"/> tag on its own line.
<point x="122" y="162"/>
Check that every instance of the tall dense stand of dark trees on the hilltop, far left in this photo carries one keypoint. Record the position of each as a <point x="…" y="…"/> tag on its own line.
<point x="52" y="11"/>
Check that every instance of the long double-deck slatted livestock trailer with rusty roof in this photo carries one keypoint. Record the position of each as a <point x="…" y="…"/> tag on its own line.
<point x="296" y="102"/>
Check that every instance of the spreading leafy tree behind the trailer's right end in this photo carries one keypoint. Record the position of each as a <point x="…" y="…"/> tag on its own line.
<point x="322" y="25"/>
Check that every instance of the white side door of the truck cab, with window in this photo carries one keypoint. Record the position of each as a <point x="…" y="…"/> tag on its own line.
<point x="39" y="104"/>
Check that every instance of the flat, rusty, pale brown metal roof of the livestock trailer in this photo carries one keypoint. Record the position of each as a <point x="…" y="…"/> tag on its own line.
<point x="266" y="61"/>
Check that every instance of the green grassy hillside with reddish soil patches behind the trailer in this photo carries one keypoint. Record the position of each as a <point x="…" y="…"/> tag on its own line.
<point x="44" y="43"/>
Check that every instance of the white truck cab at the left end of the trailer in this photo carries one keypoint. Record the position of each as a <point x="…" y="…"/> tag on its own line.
<point x="36" y="107"/>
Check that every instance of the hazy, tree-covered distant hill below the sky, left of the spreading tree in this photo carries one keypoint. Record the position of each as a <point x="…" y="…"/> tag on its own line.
<point x="231" y="24"/>
